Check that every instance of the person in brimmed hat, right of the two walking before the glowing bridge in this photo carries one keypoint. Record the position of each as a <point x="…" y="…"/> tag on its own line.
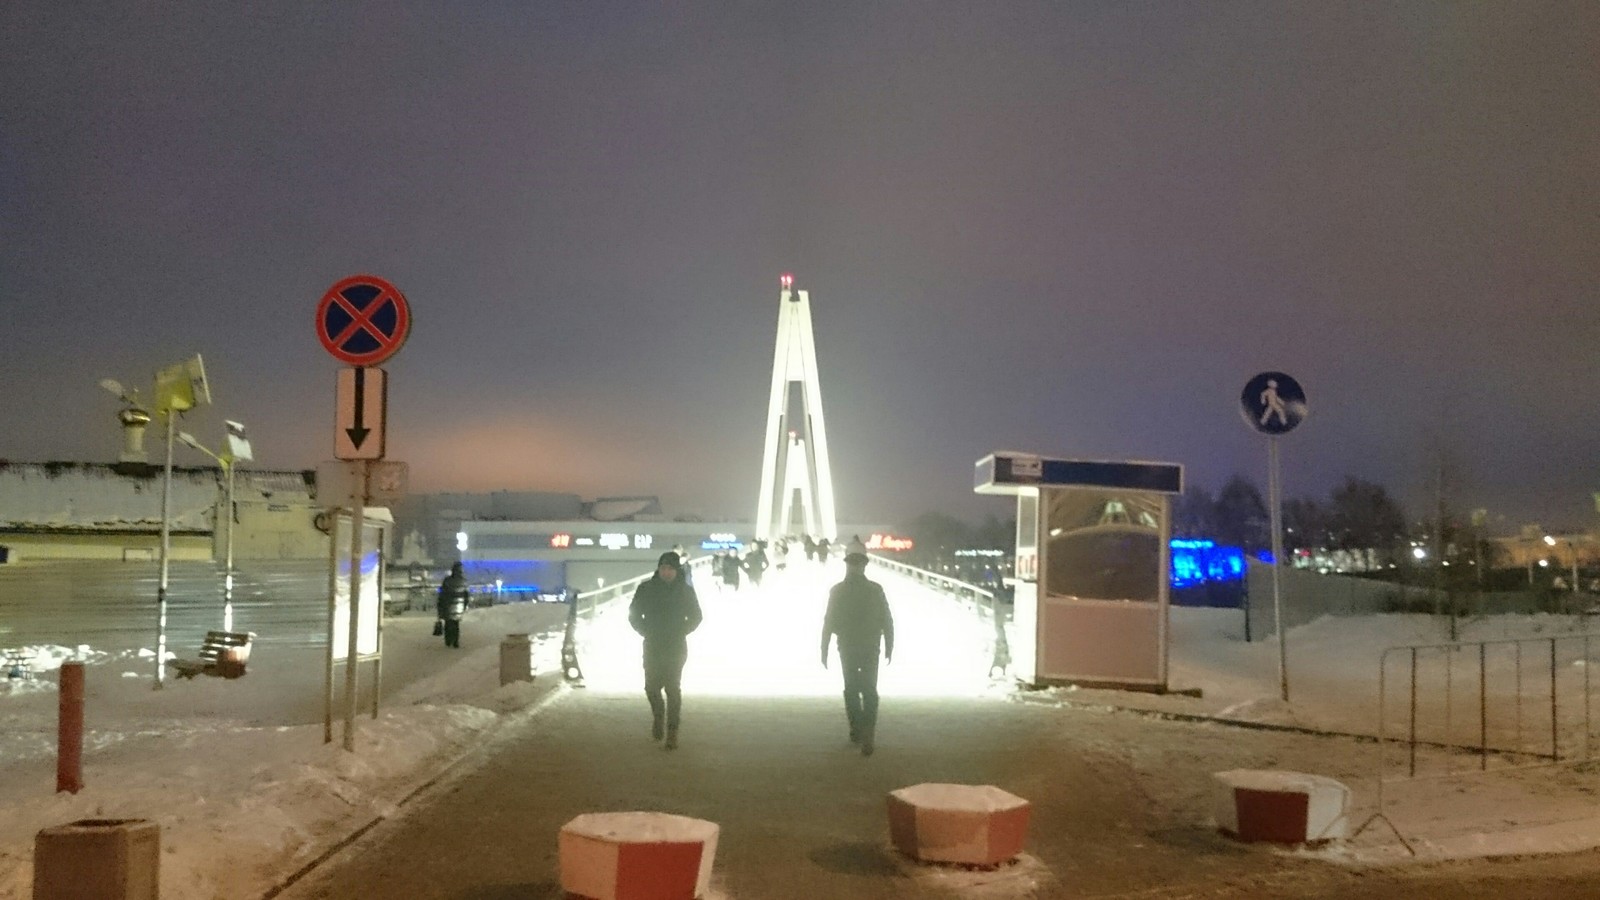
<point x="860" y="616"/>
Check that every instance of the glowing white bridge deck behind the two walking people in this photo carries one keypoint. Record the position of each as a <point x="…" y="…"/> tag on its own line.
<point x="764" y="641"/>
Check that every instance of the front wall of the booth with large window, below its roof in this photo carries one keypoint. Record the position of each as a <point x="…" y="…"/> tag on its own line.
<point x="1103" y="600"/>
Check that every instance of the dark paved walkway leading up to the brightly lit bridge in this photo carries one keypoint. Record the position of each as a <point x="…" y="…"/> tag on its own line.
<point x="802" y="814"/>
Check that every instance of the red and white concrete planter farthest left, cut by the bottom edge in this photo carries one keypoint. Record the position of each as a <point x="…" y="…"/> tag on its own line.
<point x="638" y="856"/>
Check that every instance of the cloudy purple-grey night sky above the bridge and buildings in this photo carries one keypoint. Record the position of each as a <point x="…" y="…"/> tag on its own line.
<point x="1066" y="228"/>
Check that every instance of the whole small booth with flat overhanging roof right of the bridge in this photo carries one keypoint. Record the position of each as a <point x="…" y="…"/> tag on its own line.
<point x="1092" y="563"/>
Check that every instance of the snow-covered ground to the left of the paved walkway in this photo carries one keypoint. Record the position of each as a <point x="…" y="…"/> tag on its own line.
<point x="236" y="771"/>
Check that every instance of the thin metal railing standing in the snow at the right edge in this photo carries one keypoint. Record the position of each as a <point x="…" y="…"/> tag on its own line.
<point x="1489" y="705"/>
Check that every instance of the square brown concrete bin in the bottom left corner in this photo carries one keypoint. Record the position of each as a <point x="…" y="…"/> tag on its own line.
<point x="98" y="859"/>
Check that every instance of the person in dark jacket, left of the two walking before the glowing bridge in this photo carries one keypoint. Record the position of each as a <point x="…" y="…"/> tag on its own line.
<point x="665" y="613"/>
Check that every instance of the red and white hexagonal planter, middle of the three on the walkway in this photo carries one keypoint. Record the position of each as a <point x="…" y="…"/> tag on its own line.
<point x="959" y="824"/>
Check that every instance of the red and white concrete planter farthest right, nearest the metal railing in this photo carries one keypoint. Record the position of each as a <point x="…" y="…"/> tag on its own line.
<point x="1282" y="808"/>
